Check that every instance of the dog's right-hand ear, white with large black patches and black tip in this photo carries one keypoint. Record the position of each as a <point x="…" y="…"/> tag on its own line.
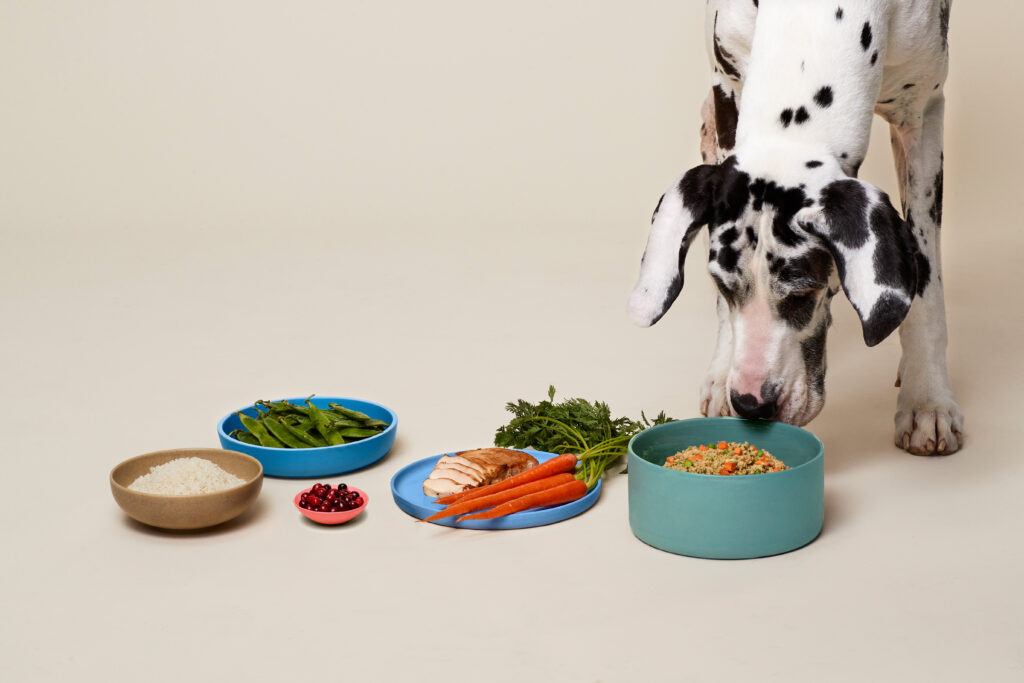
<point x="875" y="252"/>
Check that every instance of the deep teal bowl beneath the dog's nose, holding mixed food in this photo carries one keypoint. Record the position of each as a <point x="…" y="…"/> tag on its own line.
<point x="727" y="518"/>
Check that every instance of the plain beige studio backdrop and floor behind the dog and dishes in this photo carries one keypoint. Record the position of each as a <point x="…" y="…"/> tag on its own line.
<point x="442" y="206"/>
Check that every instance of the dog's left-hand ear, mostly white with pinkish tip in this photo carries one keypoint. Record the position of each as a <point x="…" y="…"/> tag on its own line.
<point x="682" y="211"/>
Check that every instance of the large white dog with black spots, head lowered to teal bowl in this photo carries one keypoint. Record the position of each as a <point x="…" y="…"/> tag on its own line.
<point x="786" y="129"/>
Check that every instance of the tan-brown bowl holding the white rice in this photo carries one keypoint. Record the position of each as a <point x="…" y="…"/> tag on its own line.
<point x="187" y="513"/>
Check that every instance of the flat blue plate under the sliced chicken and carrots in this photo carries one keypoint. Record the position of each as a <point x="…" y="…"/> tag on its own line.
<point x="407" y="488"/>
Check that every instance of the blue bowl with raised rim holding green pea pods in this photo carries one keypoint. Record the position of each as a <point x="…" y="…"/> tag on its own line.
<point x="323" y="462"/>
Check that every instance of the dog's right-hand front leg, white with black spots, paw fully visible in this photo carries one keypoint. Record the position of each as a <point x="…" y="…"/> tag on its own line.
<point x="928" y="418"/>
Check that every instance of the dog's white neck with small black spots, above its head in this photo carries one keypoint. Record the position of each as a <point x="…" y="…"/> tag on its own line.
<point x="812" y="90"/>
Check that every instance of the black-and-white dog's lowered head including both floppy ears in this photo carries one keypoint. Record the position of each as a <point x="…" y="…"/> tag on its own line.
<point x="780" y="251"/>
